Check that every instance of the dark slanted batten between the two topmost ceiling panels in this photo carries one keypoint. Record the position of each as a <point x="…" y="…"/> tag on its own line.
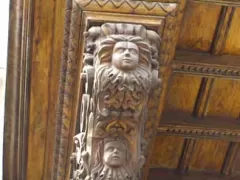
<point x="222" y="29"/>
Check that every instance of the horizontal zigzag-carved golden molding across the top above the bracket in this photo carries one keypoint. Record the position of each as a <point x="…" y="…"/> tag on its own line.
<point x="129" y="6"/>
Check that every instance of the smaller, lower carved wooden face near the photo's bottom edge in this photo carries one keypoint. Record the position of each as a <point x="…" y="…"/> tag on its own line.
<point x="114" y="154"/>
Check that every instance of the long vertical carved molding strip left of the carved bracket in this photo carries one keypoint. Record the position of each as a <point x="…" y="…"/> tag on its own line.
<point x="65" y="125"/>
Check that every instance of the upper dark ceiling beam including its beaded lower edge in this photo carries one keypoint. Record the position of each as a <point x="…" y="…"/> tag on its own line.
<point x="204" y="64"/>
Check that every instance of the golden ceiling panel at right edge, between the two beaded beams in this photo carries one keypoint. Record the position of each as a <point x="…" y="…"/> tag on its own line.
<point x="225" y="100"/>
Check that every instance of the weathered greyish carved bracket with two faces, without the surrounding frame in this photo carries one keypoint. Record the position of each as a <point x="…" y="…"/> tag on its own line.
<point x="120" y="69"/>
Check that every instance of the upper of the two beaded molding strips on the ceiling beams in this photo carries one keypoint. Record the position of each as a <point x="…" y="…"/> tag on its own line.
<point x="206" y="69"/>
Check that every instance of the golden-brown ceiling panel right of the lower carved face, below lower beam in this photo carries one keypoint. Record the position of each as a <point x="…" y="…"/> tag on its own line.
<point x="167" y="151"/>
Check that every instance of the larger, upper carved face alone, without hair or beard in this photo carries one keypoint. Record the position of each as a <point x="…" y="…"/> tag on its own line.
<point x="125" y="55"/>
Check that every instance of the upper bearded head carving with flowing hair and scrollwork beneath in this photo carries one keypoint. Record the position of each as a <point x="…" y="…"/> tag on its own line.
<point x="124" y="76"/>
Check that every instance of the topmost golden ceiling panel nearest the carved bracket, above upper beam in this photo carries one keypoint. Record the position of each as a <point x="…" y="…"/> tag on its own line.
<point x="199" y="26"/>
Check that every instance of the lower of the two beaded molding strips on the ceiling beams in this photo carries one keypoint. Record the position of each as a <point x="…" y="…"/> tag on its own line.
<point x="200" y="132"/>
